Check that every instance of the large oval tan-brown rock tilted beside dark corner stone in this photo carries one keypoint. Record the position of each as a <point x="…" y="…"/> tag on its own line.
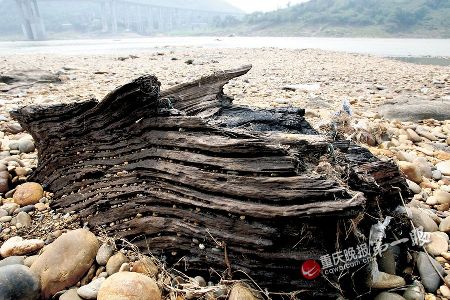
<point x="65" y="261"/>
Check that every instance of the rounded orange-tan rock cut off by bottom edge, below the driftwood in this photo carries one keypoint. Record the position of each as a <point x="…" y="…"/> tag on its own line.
<point x="130" y="286"/>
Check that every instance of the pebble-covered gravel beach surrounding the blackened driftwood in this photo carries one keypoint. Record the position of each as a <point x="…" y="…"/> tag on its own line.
<point x="399" y="111"/>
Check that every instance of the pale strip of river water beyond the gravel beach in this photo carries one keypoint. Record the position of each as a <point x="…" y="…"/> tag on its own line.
<point x="373" y="46"/>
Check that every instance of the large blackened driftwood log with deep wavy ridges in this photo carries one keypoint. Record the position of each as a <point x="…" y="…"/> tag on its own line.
<point x="216" y="185"/>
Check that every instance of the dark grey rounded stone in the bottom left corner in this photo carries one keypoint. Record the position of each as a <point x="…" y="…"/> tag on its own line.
<point x="19" y="283"/>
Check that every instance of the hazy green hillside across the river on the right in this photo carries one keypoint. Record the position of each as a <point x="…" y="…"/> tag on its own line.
<point x="369" y="18"/>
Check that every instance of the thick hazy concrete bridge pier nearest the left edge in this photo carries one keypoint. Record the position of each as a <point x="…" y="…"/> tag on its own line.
<point x="32" y="24"/>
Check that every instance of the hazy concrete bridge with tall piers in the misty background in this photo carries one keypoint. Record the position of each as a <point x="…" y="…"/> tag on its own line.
<point x="134" y="15"/>
